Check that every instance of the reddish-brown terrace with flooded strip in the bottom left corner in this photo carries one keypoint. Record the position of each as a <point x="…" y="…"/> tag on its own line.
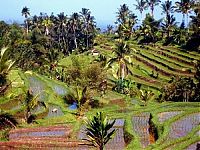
<point x="51" y="137"/>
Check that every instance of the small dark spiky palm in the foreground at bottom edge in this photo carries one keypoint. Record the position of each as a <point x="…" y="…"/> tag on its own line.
<point x="98" y="130"/>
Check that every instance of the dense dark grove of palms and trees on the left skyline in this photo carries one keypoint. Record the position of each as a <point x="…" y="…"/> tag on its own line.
<point x="43" y="39"/>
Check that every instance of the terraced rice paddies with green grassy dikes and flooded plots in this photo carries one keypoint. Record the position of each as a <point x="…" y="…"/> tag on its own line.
<point x="140" y="125"/>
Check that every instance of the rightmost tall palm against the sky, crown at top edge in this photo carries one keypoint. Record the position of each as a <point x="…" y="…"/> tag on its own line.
<point x="184" y="7"/>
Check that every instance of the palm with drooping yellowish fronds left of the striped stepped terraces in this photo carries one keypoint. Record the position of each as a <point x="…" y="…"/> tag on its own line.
<point x="122" y="59"/>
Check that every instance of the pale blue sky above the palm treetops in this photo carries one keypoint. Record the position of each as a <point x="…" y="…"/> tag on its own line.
<point x="104" y="11"/>
